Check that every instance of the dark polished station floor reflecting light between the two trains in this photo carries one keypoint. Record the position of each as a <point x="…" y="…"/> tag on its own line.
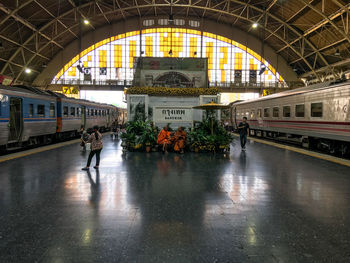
<point x="265" y="205"/>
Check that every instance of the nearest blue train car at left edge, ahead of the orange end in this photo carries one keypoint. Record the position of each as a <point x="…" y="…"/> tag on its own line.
<point x="26" y="117"/>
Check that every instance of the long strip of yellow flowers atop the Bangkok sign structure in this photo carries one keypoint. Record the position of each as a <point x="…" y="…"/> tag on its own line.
<point x="161" y="91"/>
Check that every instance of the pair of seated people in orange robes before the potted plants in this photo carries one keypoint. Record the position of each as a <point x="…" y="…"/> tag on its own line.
<point x="177" y="140"/>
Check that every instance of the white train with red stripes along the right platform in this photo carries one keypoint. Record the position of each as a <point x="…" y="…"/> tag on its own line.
<point x="316" y="115"/>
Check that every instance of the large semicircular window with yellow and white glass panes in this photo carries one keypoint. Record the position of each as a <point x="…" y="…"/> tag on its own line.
<point x="112" y="59"/>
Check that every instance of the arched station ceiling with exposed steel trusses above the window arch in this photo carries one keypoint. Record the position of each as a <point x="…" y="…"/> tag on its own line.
<point x="313" y="36"/>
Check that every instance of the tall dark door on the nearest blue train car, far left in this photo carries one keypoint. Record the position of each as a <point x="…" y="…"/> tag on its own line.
<point x="16" y="119"/>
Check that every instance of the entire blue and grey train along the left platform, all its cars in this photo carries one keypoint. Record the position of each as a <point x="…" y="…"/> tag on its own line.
<point x="30" y="116"/>
